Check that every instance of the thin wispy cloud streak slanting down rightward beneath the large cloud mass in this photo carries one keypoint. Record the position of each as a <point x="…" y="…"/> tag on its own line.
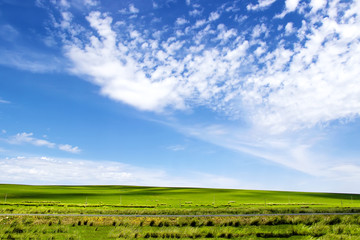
<point x="299" y="152"/>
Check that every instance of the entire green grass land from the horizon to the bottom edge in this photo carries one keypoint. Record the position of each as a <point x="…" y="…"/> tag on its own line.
<point x="155" y="200"/>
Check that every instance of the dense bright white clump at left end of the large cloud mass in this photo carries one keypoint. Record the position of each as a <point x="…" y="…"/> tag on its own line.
<point x="121" y="78"/>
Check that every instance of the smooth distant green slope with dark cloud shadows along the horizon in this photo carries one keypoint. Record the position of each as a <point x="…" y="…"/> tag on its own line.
<point x="127" y="195"/>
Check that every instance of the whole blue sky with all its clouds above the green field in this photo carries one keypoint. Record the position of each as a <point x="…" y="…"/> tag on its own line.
<point x="259" y="94"/>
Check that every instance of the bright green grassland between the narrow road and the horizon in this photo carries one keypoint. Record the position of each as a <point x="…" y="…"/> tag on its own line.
<point x="161" y="200"/>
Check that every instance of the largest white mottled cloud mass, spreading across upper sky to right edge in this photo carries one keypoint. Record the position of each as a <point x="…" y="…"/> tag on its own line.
<point x="311" y="82"/>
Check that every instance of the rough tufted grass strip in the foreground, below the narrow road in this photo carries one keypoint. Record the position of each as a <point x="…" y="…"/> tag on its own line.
<point x="293" y="227"/>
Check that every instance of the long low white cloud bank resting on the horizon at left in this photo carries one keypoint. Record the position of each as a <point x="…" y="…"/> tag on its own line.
<point x="45" y="170"/>
